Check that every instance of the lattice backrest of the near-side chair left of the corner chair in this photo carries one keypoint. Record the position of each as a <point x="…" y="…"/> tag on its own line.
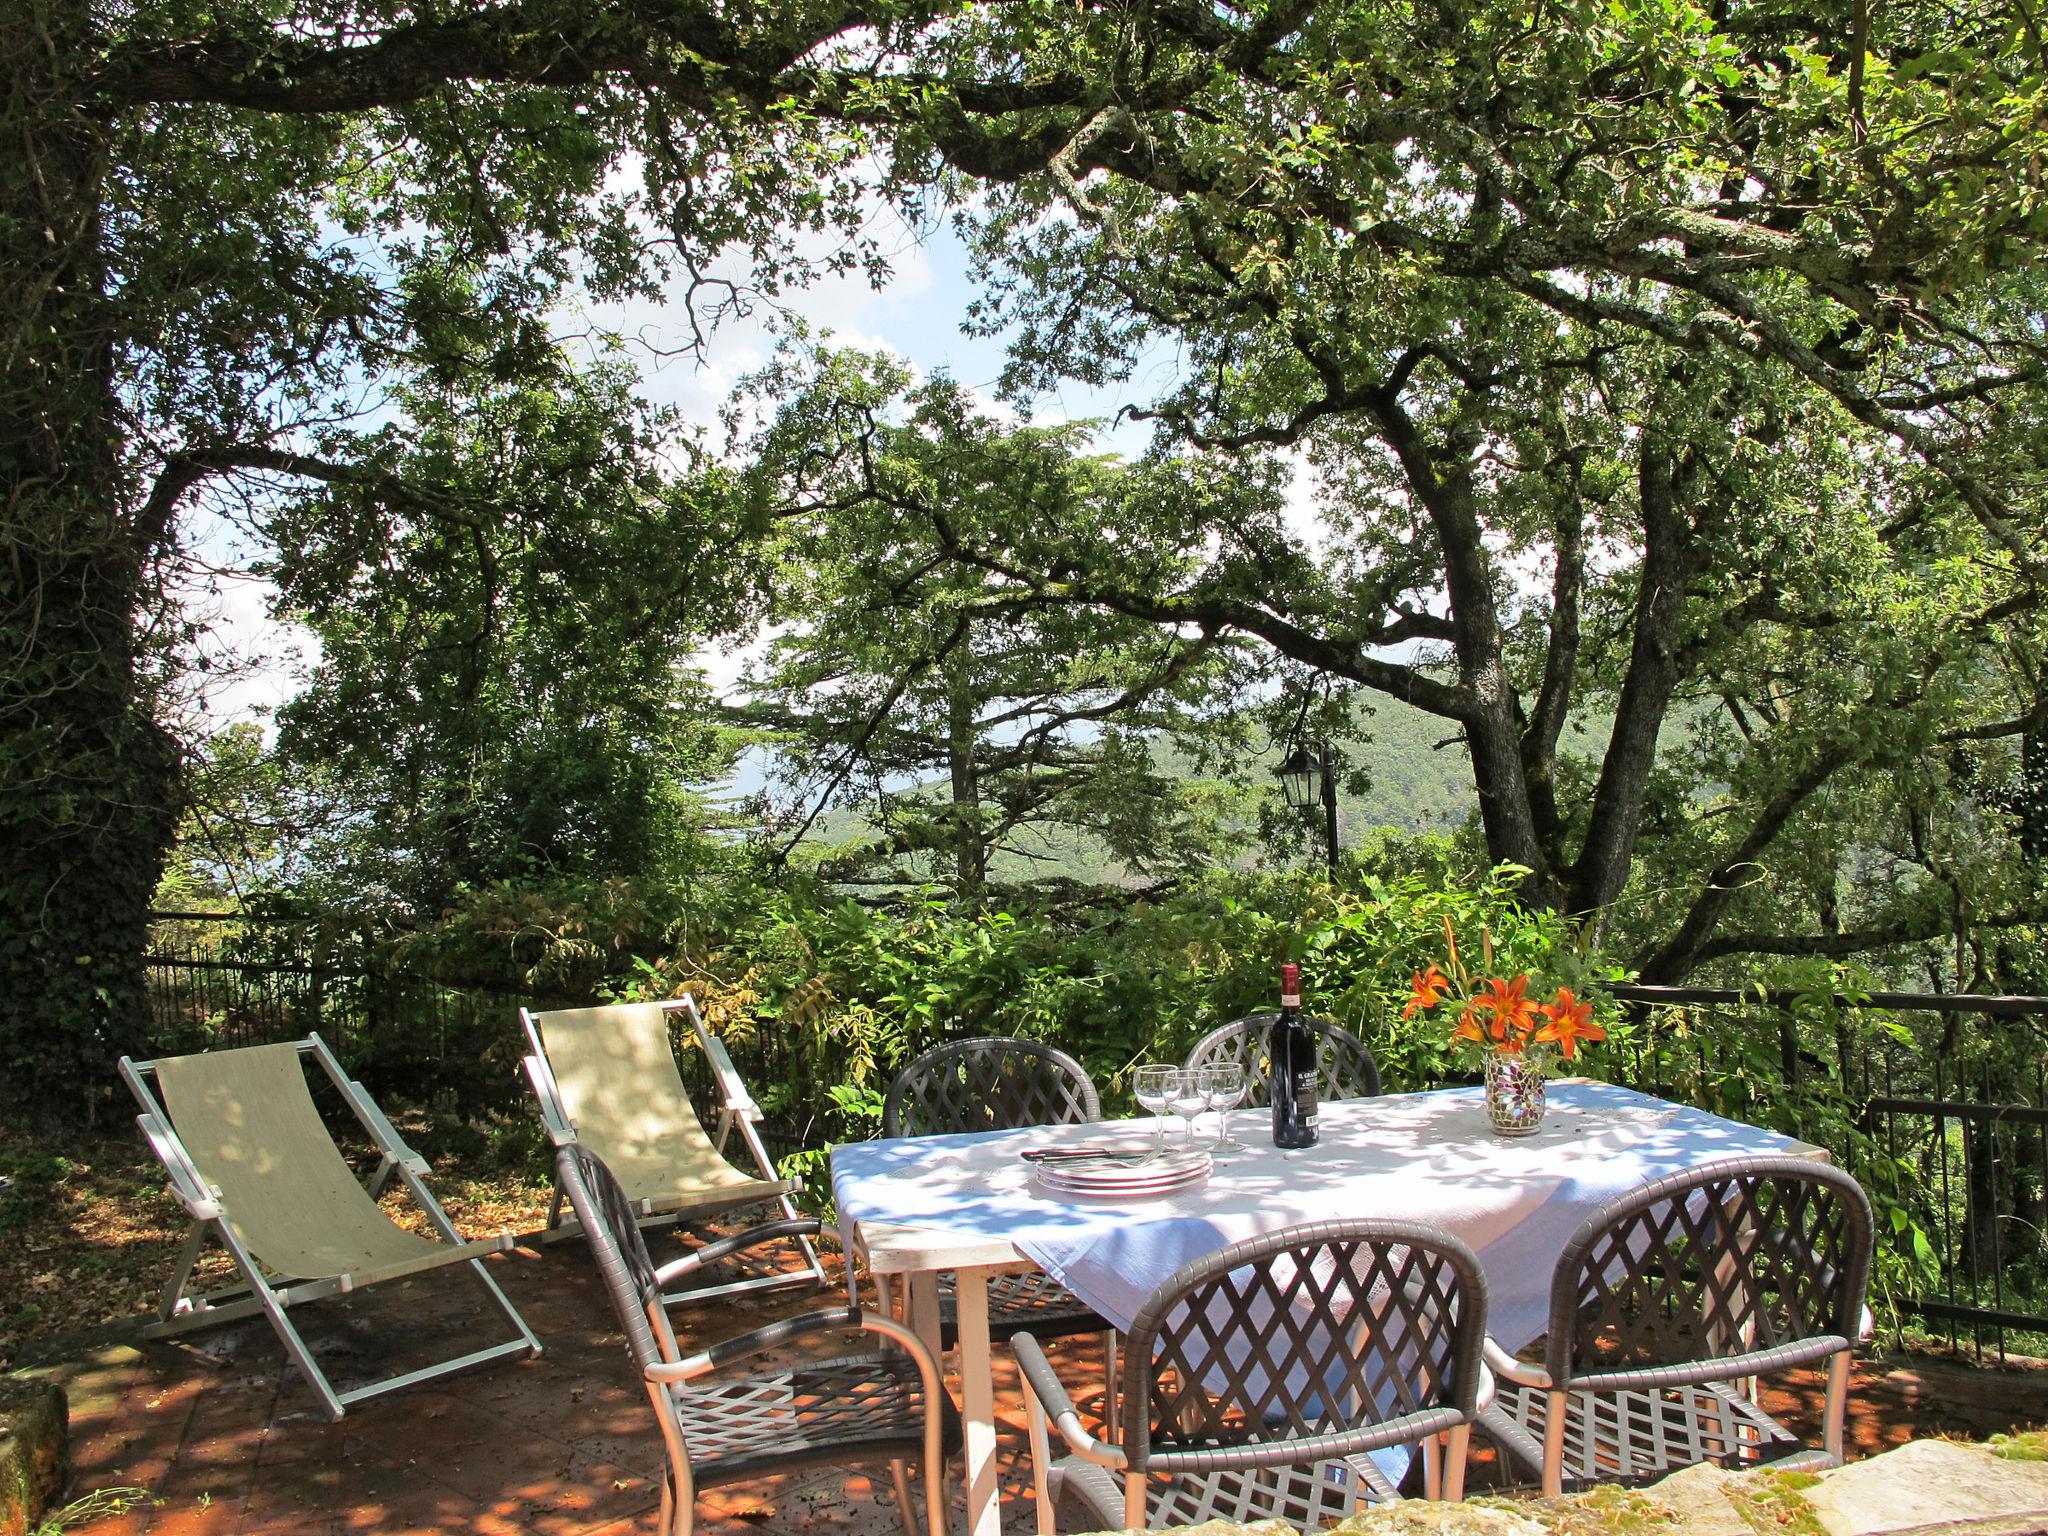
<point x="1304" y="1345"/>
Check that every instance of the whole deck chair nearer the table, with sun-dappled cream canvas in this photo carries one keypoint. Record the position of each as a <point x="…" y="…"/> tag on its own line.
<point x="607" y="1078"/>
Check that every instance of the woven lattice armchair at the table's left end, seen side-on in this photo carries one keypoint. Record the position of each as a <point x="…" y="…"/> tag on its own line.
<point x="888" y="1406"/>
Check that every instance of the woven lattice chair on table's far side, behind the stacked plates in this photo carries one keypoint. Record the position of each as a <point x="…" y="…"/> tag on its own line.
<point x="992" y="1084"/>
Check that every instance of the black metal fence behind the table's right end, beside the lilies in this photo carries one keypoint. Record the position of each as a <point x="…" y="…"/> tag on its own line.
<point x="1936" y="1103"/>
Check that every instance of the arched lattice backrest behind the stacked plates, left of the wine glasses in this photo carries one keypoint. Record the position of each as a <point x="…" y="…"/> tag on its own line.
<point x="988" y="1084"/>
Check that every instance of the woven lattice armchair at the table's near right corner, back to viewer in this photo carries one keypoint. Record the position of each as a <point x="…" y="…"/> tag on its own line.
<point x="1668" y="1304"/>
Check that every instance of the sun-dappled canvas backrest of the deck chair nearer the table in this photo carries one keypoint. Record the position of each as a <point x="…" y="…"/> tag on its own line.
<point x="615" y="1072"/>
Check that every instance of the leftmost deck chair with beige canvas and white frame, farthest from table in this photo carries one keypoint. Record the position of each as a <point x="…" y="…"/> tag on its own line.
<point x="257" y="1170"/>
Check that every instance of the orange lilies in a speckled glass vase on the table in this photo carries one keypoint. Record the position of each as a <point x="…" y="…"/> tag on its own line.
<point x="1512" y="1031"/>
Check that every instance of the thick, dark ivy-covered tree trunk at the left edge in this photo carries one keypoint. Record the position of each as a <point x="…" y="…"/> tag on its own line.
<point x="87" y="777"/>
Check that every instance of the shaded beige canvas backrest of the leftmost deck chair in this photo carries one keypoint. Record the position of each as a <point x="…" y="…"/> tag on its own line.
<point x="249" y="1123"/>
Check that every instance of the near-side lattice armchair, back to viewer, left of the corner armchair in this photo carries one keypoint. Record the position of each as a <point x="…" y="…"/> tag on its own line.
<point x="1258" y="1379"/>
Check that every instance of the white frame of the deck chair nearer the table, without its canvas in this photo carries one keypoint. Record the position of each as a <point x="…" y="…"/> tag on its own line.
<point x="738" y="1115"/>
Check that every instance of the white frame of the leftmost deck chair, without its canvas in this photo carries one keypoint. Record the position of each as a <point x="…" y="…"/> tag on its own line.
<point x="269" y="1295"/>
